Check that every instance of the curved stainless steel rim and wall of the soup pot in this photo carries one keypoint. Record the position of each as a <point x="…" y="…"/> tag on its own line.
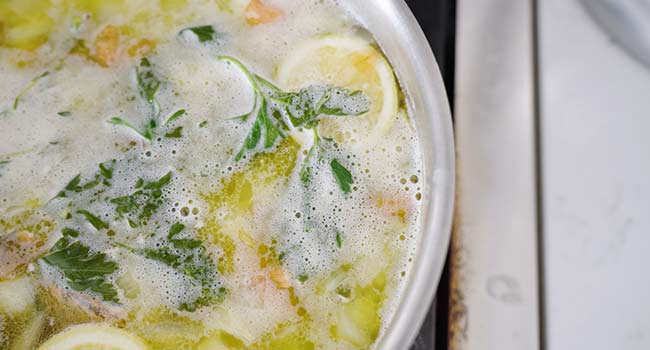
<point x="407" y="49"/>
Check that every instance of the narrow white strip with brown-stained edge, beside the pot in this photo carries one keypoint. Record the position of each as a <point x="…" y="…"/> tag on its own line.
<point x="496" y="229"/>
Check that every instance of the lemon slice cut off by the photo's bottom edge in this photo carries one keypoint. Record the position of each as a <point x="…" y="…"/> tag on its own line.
<point x="94" y="336"/>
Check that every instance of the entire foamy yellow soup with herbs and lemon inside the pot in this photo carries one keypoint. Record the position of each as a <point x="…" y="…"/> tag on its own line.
<point x="200" y="174"/>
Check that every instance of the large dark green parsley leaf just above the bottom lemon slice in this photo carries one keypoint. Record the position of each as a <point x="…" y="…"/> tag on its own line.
<point x="84" y="270"/>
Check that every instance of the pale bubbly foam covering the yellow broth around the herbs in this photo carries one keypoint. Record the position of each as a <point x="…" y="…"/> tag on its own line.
<point x="290" y="258"/>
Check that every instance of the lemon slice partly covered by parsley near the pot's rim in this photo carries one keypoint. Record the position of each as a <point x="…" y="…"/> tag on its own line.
<point x="352" y="63"/>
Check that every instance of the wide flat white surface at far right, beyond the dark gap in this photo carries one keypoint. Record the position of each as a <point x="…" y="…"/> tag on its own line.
<point x="596" y="172"/>
